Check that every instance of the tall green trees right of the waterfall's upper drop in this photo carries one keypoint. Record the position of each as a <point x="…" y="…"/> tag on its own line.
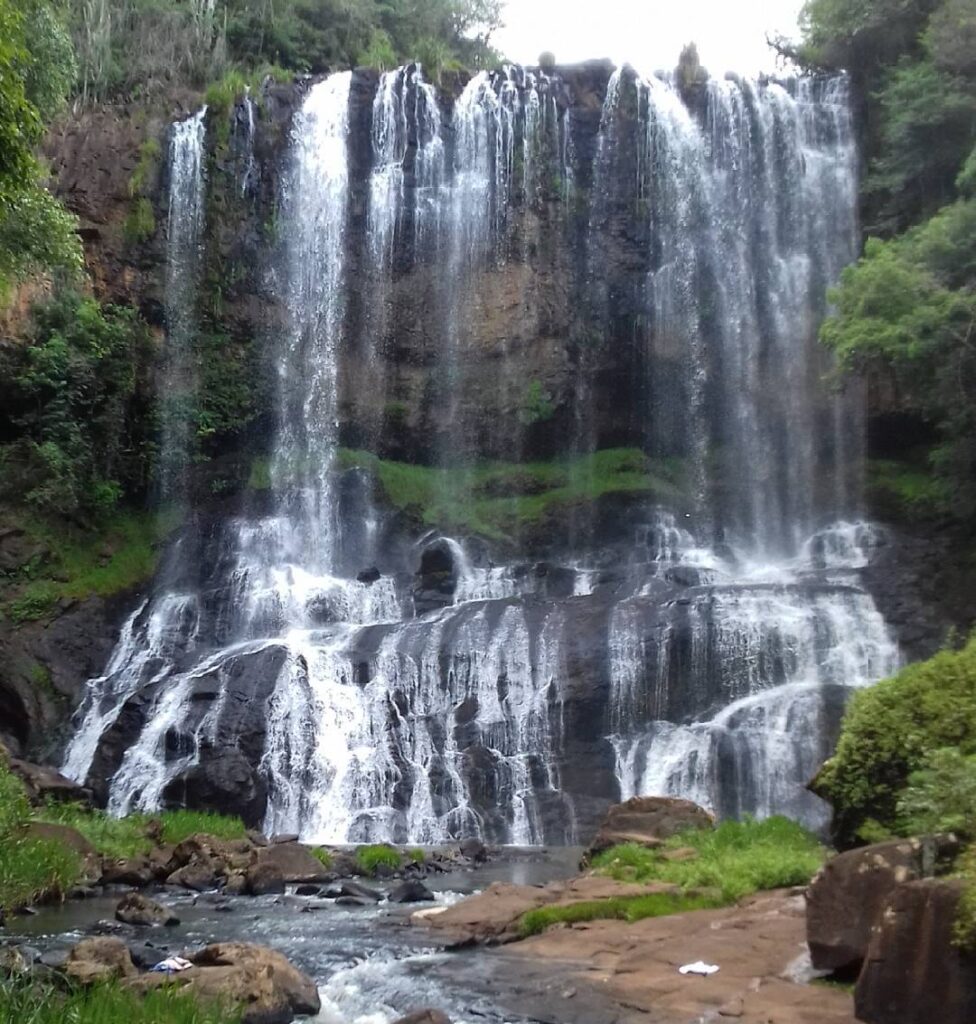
<point x="906" y="314"/>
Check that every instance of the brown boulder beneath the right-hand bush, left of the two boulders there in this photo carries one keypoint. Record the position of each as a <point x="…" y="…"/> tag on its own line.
<point x="846" y="898"/>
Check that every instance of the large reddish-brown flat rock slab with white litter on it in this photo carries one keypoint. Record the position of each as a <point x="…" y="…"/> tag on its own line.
<point x="636" y="966"/>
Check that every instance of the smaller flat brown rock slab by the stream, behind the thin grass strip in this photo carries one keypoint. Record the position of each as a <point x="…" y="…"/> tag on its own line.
<point x="493" y="916"/>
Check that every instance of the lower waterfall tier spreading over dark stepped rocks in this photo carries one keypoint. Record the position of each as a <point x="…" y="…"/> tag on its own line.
<point x="508" y="702"/>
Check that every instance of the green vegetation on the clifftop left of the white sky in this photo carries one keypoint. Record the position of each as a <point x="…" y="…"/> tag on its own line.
<point x="128" y="49"/>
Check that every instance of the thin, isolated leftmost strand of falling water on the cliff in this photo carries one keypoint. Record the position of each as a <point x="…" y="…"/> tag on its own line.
<point x="185" y="225"/>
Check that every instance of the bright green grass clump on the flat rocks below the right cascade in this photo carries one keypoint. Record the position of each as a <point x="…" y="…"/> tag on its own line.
<point x="736" y="859"/>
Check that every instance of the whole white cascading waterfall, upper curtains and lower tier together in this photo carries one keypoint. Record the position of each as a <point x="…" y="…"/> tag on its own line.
<point x="706" y="656"/>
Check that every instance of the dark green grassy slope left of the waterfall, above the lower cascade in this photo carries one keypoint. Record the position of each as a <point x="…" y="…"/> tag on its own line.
<point x="123" y="553"/>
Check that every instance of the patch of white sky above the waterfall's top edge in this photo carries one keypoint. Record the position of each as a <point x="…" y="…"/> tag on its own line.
<point x="650" y="34"/>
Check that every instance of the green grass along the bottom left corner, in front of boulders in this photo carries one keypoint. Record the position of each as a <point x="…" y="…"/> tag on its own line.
<point x="28" y="1003"/>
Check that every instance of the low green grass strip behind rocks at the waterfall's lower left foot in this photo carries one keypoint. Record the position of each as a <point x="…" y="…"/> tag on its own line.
<point x="128" y="837"/>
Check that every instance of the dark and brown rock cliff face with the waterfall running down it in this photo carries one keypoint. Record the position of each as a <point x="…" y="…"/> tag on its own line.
<point x="511" y="487"/>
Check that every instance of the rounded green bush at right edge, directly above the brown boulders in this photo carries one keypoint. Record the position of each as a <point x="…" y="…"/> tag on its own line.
<point x="894" y="731"/>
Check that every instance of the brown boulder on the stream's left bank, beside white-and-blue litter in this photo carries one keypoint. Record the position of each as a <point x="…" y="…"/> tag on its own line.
<point x="261" y="982"/>
